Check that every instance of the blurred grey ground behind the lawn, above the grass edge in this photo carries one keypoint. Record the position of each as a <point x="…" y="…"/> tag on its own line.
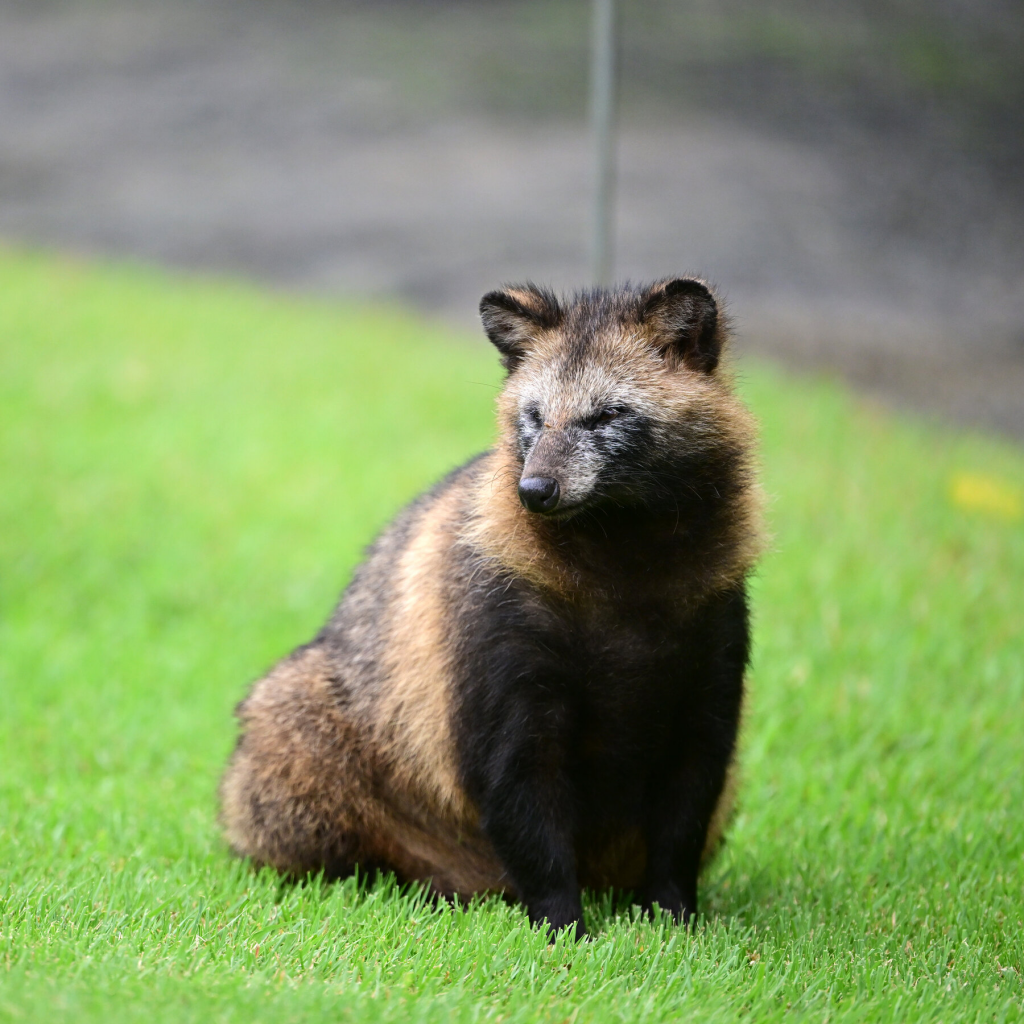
<point x="849" y="173"/>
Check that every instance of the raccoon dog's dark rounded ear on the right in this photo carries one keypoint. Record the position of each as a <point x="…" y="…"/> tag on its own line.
<point x="687" y="322"/>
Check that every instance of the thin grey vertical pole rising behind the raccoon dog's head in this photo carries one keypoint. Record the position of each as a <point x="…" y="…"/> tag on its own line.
<point x="603" y="114"/>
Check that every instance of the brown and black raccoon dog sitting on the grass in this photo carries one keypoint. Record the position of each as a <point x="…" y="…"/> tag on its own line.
<point x="534" y="681"/>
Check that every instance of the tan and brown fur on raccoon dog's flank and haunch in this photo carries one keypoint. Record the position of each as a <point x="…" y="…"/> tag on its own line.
<point x="364" y="782"/>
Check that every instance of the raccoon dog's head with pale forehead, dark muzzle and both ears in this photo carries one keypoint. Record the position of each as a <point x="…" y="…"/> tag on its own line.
<point x="614" y="398"/>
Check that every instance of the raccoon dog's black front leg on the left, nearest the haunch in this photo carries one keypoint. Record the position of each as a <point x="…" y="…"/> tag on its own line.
<point x="528" y="809"/>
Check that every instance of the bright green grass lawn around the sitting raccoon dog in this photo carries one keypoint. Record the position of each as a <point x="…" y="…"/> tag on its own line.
<point x="188" y="475"/>
